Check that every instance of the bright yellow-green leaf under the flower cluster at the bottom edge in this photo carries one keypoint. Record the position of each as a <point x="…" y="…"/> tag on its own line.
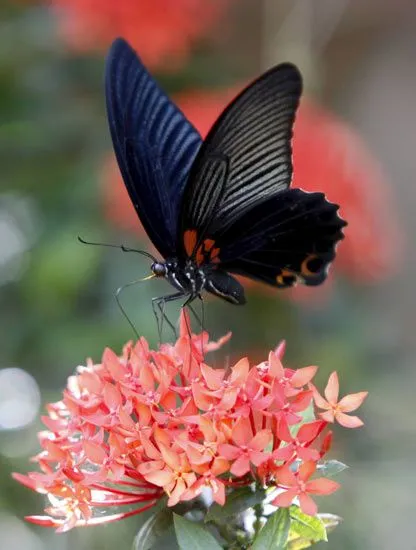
<point x="305" y="530"/>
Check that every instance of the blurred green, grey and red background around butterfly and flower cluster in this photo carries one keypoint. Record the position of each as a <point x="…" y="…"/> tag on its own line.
<point x="354" y="139"/>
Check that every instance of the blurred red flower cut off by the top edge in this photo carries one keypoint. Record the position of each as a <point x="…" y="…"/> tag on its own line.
<point x="162" y="31"/>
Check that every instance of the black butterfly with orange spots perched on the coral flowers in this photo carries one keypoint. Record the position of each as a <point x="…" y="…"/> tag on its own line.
<point x="222" y="205"/>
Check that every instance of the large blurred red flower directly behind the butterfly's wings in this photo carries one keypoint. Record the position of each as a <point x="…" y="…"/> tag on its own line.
<point x="328" y="156"/>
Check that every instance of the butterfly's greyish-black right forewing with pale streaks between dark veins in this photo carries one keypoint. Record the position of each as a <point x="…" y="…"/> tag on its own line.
<point x="246" y="158"/>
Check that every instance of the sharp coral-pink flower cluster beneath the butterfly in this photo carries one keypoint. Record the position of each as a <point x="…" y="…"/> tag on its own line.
<point x="134" y="428"/>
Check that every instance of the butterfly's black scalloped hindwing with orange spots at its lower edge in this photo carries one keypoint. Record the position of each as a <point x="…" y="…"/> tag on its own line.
<point x="287" y="239"/>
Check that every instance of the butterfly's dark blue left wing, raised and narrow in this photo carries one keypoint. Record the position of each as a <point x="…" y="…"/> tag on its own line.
<point x="154" y="143"/>
